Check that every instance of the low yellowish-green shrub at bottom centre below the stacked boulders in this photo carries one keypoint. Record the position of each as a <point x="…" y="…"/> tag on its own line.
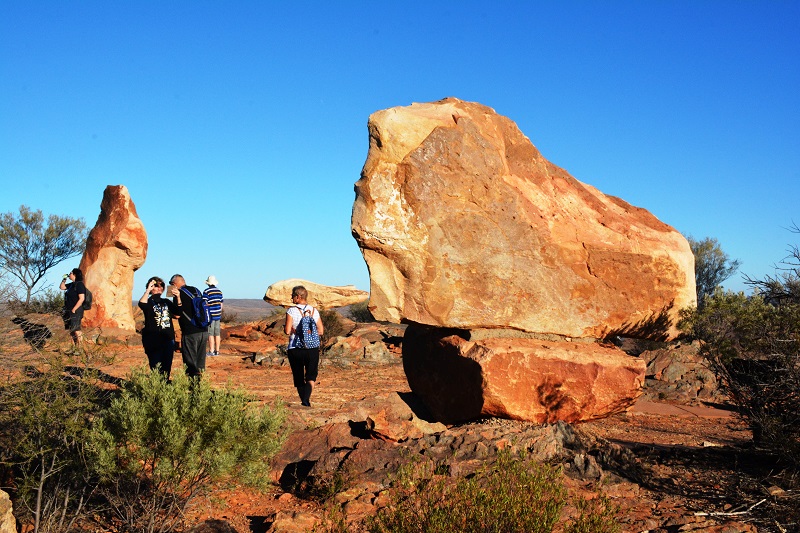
<point x="515" y="494"/>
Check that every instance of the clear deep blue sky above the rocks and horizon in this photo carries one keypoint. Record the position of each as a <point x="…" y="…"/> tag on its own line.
<point x="258" y="111"/>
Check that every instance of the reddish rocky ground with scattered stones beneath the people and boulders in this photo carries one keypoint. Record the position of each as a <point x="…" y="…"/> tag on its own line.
<point x="679" y="461"/>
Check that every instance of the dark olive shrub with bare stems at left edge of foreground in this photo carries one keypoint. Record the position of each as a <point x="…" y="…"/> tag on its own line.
<point x="44" y="421"/>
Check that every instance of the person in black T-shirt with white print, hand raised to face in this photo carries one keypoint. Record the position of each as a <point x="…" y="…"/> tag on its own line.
<point x="158" y="335"/>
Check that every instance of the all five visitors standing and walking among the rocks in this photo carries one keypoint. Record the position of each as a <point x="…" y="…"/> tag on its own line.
<point x="197" y="343"/>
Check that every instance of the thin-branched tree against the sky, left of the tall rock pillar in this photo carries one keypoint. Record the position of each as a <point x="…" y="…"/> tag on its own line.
<point x="29" y="246"/>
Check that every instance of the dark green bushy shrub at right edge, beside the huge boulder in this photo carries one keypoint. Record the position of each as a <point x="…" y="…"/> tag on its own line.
<point x="753" y="347"/>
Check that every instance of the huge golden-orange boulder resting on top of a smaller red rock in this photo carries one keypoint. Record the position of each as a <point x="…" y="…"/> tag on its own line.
<point x="464" y="224"/>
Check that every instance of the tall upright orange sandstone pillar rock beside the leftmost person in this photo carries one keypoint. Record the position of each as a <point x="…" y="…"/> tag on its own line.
<point x="116" y="248"/>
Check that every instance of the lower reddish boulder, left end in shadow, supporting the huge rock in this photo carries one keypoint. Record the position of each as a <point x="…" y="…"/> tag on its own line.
<point x="518" y="378"/>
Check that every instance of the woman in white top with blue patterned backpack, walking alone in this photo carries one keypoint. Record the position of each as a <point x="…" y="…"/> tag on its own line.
<point x="304" y="327"/>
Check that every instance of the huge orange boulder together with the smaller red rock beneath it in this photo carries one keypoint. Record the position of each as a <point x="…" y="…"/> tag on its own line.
<point x="508" y="268"/>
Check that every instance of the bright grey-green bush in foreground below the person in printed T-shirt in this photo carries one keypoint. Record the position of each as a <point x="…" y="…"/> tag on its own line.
<point x="161" y="443"/>
